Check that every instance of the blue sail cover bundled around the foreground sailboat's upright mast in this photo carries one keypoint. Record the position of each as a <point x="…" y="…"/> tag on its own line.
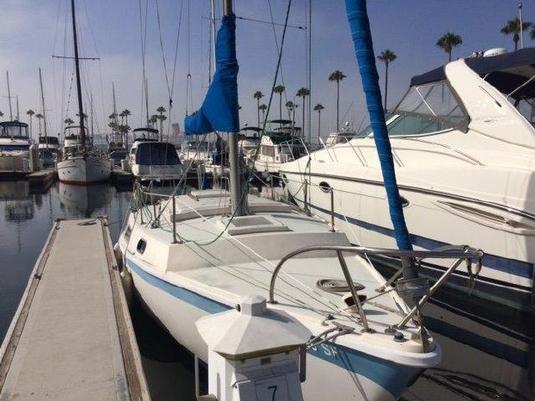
<point x="219" y="111"/>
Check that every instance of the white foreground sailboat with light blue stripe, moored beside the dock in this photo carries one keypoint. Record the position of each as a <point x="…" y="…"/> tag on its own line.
<point x="199" y="254"/>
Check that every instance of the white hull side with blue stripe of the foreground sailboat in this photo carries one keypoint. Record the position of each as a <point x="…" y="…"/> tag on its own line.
<point x="334" y="372"/>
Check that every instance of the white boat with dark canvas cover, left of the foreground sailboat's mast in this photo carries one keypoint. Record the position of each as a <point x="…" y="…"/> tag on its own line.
<point x="152" y="160"/>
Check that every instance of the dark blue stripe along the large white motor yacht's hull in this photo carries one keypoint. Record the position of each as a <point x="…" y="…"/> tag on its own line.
<point x="506" y="265"/>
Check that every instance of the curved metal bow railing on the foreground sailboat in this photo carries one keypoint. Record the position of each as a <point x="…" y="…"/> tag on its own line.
<point x="459" y="253"/>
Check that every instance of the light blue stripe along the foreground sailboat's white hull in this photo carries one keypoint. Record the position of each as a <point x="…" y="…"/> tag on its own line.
<point x="392" y="377"/>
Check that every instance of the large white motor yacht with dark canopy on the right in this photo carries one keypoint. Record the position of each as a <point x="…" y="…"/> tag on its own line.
<point x="463" y="144"/>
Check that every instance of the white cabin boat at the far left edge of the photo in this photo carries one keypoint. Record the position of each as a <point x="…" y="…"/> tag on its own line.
<point x="15" y="149"/>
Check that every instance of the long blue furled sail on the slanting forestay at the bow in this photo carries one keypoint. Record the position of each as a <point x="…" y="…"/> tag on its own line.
<point x="362" y="40"/>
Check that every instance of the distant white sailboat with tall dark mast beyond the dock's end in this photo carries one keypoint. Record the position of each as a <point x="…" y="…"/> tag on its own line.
<point x="81" y="163"/>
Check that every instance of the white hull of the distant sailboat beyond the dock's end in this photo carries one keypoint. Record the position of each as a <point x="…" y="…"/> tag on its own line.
<point x="84" y="170"/>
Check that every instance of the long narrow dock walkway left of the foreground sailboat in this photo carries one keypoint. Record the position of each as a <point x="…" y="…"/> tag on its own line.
<point x="72" y="337"/>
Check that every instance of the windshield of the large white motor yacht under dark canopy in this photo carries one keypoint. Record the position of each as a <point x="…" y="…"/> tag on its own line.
<point x="426" y="109"/>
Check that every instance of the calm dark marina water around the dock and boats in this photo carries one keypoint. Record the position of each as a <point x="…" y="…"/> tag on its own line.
<point x="488" y="352"/>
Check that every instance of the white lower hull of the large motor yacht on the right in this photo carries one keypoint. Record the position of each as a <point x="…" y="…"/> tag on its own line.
<point x="361" y="211"/>
